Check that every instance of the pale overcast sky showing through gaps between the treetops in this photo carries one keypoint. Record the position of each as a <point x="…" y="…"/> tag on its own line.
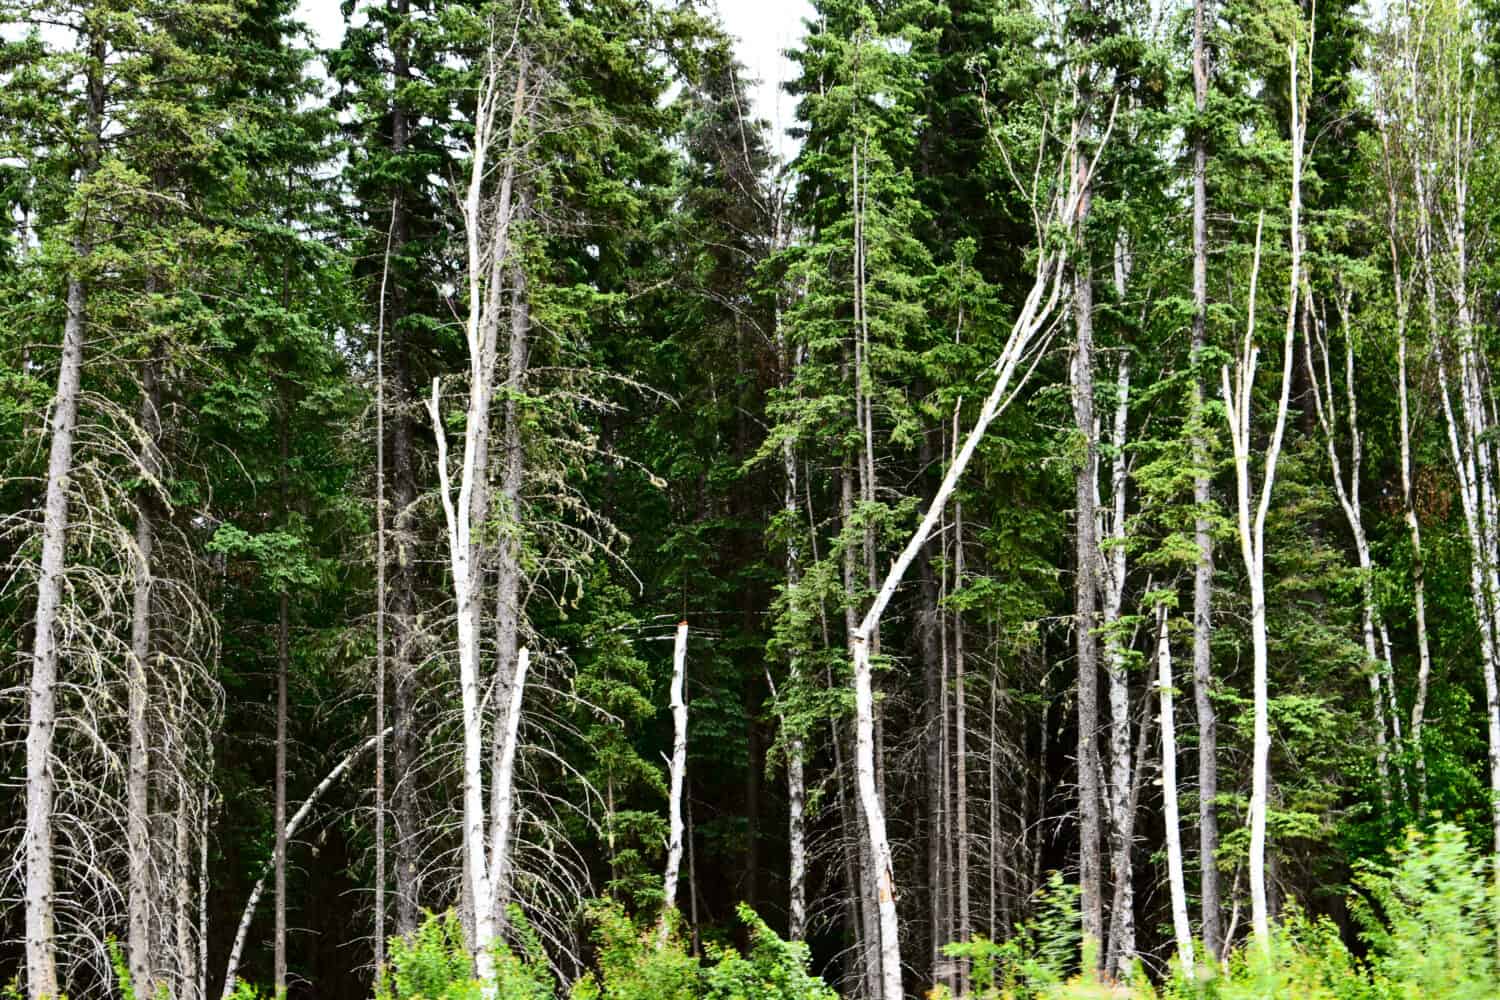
<point x="764" y="28"/>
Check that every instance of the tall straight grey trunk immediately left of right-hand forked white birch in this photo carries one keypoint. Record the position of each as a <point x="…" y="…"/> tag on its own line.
<point x="1202" y="524"/>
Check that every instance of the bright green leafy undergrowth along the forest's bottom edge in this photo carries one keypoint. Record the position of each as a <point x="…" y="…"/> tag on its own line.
<point x="1430" y="920"/>
